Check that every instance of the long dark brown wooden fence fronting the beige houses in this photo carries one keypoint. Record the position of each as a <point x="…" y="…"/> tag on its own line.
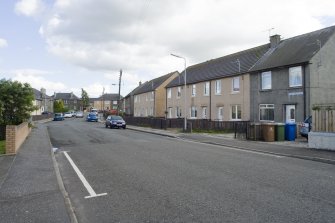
<point x="239" y="128"/>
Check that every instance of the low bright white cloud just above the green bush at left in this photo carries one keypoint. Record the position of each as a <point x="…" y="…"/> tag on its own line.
<point x="38" y="79"/>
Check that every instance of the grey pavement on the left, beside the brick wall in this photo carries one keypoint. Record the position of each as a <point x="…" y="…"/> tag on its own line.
<point x="30" y="191"/>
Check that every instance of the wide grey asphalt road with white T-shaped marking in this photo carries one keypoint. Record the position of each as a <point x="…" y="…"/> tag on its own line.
<point x="150" y="178"/>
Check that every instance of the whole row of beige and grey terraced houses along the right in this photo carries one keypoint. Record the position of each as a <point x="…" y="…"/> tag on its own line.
<point x="280" y="81"/>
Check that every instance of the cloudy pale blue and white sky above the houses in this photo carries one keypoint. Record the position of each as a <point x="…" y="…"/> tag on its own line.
<point x="67" y="45"/>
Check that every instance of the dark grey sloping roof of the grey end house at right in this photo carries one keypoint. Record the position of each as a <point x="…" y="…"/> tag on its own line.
<point x="295" y="50"/>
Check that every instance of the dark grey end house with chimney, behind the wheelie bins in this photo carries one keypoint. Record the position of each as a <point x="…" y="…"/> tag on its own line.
<point x="295" y="75"/>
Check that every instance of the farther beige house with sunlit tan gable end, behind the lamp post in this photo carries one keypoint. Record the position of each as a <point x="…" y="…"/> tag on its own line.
<point x="150" y="99"/>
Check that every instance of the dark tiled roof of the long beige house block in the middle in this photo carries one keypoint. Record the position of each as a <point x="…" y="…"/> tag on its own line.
<point x="237" y="63"/>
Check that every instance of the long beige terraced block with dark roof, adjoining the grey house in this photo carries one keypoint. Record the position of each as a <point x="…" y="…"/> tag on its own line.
<point x="218" y="89"/>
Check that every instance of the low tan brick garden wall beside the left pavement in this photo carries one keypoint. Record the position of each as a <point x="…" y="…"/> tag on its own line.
<point x="15" y="136"/>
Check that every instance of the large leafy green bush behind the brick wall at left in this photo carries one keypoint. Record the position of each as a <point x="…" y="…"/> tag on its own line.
<point x="16" y="102"/>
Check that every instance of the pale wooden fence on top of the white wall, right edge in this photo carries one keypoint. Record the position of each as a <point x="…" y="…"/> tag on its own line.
<point x="323" y="120"/>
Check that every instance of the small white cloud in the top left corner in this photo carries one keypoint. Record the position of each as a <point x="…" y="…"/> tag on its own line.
<point x="29" y="7"/>
